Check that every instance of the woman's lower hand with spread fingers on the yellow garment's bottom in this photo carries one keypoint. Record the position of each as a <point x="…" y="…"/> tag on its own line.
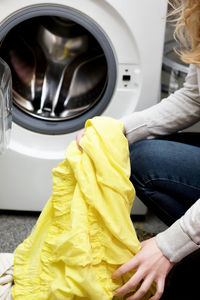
<point x="152" y="266"/>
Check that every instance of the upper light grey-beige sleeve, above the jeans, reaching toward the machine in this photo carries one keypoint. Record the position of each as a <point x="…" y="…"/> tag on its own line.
<point x="180" y="110"/>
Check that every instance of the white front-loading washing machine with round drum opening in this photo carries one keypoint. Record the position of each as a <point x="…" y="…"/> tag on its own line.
<point x="72" y="60"/>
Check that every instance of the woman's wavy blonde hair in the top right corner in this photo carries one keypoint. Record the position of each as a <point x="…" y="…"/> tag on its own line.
<point x="186" y="14"/>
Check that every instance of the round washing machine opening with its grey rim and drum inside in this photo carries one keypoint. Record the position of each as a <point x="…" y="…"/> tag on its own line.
<point x="63" y="71"/>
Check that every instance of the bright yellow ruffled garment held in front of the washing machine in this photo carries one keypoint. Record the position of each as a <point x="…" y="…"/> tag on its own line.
<point x="84" y="232"/>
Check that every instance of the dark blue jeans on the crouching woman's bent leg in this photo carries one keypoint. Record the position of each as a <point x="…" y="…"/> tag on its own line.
<point x="166" y="173"/>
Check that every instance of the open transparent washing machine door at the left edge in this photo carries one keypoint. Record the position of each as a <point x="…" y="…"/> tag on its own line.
<point x="5" y="105"/>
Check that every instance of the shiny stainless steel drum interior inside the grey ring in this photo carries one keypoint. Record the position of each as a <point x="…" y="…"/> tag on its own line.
<point x="59" y="69"/>
